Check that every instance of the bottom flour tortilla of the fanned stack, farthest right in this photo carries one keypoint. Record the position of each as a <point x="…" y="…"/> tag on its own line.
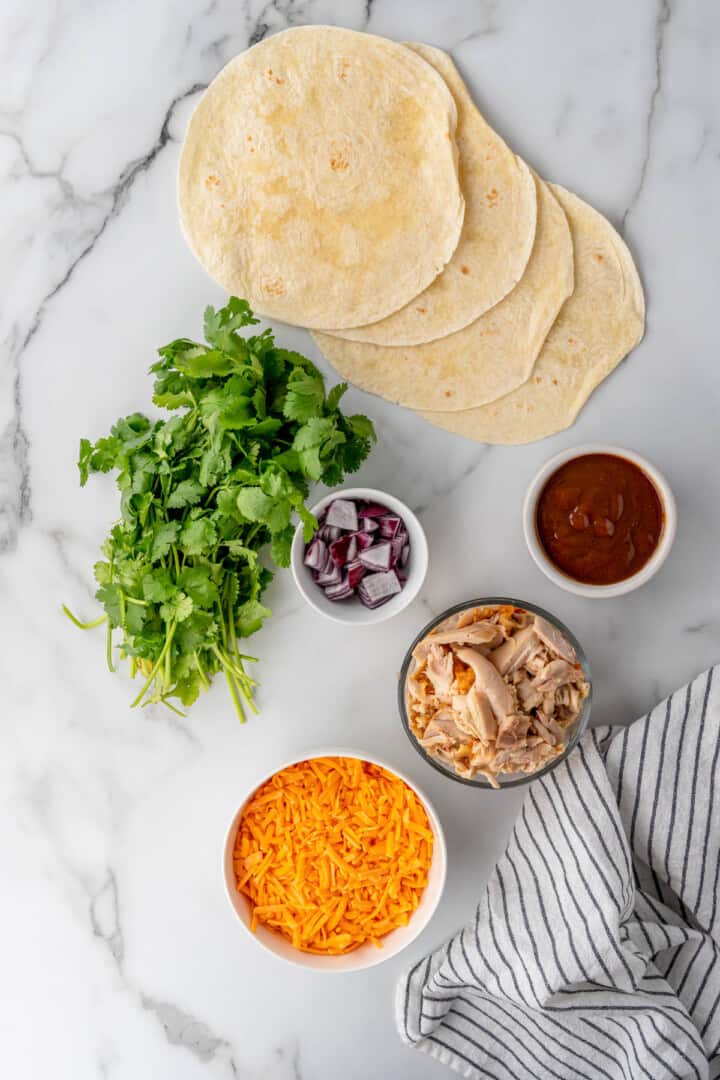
<point x="601" y="323"/>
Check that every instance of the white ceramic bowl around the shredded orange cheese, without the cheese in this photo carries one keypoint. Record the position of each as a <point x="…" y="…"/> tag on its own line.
<point x="366" y="956"/>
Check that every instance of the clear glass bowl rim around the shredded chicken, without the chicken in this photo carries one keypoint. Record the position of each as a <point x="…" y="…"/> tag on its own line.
<point x="518" y="780"/>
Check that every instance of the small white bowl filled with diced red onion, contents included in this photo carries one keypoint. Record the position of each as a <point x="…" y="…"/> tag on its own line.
<point x="366" y="562"/>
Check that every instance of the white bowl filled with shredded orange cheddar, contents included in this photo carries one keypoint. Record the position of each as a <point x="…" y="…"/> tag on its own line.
<point x="335" y="861"/>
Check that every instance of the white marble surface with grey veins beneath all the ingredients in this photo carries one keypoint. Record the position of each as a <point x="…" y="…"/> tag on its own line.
<point x="119" y="955"/>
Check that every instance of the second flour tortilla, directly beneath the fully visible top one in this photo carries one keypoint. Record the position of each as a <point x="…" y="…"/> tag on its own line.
<point x="497" y="237"/>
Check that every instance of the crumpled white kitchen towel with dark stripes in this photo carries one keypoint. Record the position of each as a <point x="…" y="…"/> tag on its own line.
<point x="595" y="952"/>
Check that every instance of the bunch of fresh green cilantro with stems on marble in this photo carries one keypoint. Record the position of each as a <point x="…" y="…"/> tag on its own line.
<point x="203" y="493"/>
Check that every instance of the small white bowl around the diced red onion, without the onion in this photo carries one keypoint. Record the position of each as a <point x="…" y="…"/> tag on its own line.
<point x="352" y="612"/>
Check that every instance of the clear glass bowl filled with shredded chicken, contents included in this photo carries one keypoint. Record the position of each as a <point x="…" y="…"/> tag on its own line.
<point x="495" y="693"/>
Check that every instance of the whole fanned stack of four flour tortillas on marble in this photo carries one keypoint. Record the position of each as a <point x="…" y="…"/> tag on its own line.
<point x="348" y="184"/>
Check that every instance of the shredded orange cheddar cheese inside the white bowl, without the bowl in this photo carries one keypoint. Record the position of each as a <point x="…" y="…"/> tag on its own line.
<point x="333" y="853"/>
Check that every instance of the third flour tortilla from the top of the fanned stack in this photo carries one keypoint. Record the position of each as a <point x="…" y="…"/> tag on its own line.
<point x="486" y="360"/>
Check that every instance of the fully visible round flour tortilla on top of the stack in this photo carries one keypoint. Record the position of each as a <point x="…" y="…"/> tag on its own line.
<point x="319" y="178"/>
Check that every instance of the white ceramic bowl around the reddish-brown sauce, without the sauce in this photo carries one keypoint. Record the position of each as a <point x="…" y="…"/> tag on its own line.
<point x="619" y="588"/>
